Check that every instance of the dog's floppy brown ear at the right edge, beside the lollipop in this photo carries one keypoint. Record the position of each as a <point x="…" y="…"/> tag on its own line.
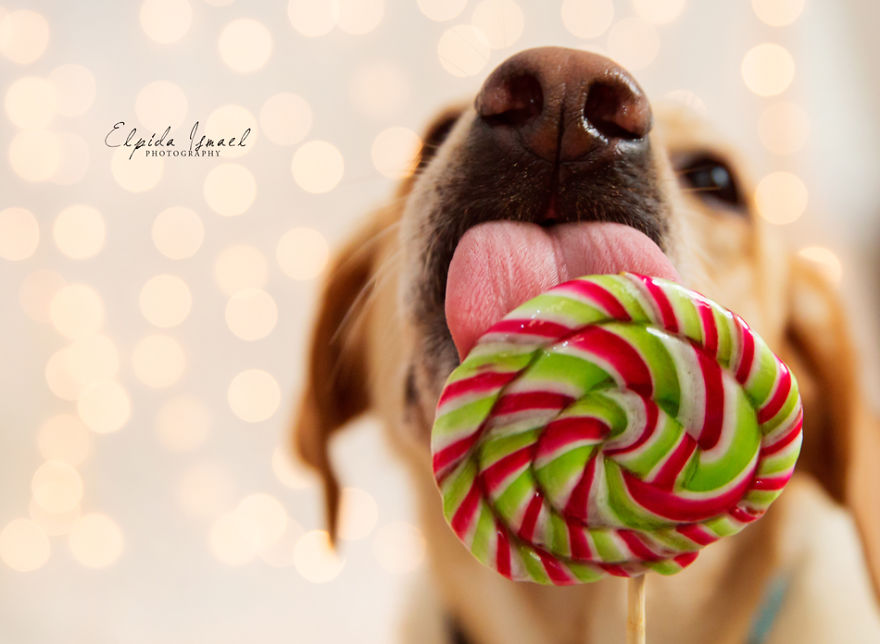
<point x="841" y="440"/>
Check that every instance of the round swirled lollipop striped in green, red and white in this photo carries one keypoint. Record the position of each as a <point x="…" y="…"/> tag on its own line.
<point x="612" y="425"/>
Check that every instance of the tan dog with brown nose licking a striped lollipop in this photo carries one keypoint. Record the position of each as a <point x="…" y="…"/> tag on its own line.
<point x="562" y="147"/>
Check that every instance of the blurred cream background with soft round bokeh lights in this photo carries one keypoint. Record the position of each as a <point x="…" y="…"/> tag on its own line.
<point x="156" y="310"/>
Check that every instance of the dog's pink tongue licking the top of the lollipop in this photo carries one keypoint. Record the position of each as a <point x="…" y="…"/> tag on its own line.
<point x="499" y="265"/>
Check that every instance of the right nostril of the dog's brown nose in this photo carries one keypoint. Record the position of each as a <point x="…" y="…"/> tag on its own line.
<point x="617" y="110"/>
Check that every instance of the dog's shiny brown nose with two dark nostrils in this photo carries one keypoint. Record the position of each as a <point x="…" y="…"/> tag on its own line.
<point x="564" y="104"/>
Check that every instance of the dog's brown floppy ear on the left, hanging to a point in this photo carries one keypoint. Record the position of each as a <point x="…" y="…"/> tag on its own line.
<point x="335" y="380"/>
